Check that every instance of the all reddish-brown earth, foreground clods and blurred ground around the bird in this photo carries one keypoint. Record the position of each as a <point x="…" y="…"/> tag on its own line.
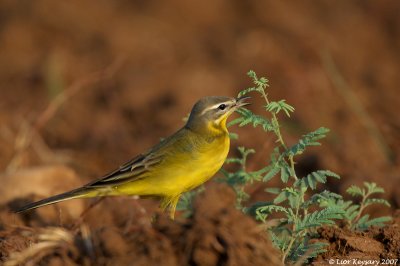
<point x="127" y="72"/>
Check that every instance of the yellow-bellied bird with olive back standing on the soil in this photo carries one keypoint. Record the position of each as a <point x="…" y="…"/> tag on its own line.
<point x="177" y="164"/>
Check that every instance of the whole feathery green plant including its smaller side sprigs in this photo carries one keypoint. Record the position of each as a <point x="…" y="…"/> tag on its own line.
<point x="299" y="209"/>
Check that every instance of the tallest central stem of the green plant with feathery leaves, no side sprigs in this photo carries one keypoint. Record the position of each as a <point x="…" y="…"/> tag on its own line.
<point x="299" y="218"/>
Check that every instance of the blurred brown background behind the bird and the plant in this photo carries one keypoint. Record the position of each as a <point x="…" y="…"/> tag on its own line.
<point x="89" y="84"/>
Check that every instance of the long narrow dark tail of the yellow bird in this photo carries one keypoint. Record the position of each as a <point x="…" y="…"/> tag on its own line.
<point x="73" y="194"/>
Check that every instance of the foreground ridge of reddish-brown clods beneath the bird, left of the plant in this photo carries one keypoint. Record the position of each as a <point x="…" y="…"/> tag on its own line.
<point x="216" y="234"/>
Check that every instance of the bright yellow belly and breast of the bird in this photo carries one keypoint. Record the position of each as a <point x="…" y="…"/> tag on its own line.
<point x="181" y="172"/>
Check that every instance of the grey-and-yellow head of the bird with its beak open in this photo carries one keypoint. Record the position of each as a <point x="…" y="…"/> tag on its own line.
<point x="211" y="113"/>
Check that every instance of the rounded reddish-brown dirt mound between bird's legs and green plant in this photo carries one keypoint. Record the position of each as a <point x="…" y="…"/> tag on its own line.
<point x="218" y="234"/>
